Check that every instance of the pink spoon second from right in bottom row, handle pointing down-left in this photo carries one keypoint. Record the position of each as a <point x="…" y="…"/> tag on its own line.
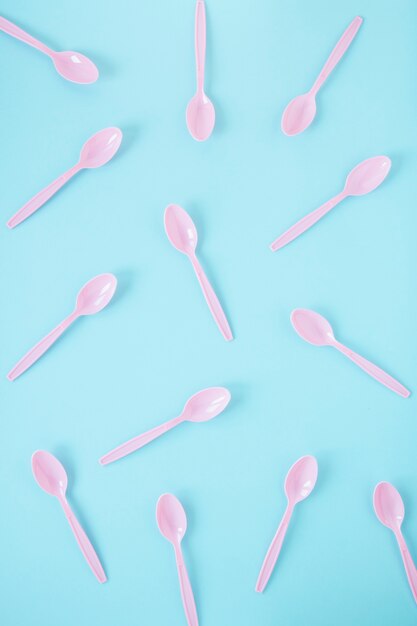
<point x="299" y="483"/>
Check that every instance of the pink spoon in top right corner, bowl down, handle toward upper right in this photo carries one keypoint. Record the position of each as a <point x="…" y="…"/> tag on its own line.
<point x="301" y="111"/>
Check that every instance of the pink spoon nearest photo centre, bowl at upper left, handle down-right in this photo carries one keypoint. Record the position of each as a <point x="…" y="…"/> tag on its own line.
<point x="182" y="234"/>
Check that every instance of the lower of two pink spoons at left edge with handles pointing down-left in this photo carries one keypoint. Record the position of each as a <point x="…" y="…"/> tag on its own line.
<point x="92" y="298"/>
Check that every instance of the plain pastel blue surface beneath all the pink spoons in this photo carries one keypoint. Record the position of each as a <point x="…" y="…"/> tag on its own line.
<point x="134" y="365"/>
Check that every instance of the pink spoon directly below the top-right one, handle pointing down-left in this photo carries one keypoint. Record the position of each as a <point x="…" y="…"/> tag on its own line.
<point x="363" y="179"/>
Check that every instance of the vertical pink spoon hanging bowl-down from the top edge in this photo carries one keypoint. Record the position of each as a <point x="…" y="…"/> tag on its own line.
<point x="200" y="113"/>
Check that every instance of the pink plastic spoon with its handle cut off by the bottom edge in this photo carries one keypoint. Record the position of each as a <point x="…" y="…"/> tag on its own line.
<point x="172" y="523"/>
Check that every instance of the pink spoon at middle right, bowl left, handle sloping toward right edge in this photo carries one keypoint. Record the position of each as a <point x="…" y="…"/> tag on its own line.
<point x="315" y="329"/>
